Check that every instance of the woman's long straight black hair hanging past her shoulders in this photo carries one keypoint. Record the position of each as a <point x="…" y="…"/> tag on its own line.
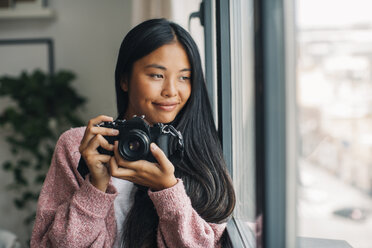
<point x="203" y="169"/>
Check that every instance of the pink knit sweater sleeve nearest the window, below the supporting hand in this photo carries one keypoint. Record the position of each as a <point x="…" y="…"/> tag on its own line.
<point x="179" y="223"/>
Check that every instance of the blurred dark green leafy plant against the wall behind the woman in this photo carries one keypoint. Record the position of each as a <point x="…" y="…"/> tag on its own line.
<point x="40" y="108"/>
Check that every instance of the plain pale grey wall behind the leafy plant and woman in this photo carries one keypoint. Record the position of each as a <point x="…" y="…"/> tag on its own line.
<point x="87" y="35"/>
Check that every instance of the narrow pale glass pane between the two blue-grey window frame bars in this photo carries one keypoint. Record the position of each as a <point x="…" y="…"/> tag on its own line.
<point x="242" y="83"/>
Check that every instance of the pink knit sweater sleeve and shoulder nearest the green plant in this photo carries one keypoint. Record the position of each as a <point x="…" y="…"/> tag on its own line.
<point x="71" y="212"/>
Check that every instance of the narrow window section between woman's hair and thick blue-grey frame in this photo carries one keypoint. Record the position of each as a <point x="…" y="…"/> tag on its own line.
<point x="235" y="76"/>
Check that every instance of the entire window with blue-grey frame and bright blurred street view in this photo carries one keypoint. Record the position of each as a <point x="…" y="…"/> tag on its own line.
<point x="298" y="94"/>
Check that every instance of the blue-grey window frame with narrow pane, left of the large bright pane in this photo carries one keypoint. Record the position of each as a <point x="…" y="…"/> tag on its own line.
<point x="252" y="74"/>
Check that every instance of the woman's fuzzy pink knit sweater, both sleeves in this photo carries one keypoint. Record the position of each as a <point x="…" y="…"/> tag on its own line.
<point x="73" y="213"/>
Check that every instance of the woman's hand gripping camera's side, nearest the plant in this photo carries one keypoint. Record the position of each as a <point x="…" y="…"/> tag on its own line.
<point x="96" y="162"/>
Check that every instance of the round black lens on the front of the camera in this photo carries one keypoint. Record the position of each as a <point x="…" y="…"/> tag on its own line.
<point x="134" y="145"/>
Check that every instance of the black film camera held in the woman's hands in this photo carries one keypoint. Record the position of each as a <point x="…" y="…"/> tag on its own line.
<point x="136" y="135"/>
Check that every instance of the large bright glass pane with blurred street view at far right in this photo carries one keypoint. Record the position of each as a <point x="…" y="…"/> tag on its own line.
<point x="334" y="87"/>
